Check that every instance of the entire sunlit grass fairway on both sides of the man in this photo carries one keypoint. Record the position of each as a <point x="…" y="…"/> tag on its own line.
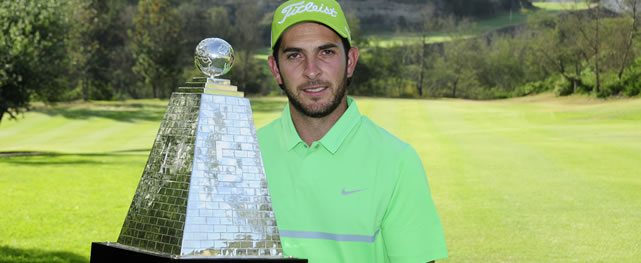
<point x="521" y="180"/>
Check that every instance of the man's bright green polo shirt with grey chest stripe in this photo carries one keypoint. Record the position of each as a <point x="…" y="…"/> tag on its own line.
<point x="357" y="195"/>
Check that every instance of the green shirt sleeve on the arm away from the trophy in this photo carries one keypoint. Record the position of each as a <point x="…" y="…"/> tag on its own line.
<point x="411" y="228"/>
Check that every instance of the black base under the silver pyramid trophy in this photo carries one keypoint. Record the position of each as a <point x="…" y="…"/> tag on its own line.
<point x="113" y="252"/>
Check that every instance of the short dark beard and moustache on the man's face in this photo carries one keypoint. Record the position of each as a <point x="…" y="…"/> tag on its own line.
<point x="323" y="110"/>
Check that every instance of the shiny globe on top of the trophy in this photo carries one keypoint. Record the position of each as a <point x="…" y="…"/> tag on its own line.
<point x="214" y="57"/>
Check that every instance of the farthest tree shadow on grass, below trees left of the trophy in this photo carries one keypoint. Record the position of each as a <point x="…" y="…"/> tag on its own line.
<point x="118" y="111"/>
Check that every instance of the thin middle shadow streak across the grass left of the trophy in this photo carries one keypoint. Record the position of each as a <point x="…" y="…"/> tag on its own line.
<point x="53" y="158"/>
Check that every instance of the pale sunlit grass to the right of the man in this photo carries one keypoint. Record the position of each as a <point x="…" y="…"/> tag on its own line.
<point x="549" y="180"/>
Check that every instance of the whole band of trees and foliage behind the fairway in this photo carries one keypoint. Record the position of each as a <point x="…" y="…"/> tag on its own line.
<point x="55" y="50"/>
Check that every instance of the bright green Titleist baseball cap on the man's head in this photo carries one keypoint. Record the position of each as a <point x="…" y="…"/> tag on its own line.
<point x="326" y="12"/>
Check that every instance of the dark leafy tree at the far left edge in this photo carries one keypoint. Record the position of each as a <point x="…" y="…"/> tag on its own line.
<point x="32" y="54"/>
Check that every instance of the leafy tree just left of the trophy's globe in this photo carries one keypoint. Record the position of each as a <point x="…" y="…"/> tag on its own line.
<point x="156" y="46"/>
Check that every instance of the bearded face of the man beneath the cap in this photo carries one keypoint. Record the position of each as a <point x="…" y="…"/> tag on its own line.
<point x="312" y="68"/>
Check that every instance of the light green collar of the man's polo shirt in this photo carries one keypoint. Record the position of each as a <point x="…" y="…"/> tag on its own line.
<point x="334" y="137"/>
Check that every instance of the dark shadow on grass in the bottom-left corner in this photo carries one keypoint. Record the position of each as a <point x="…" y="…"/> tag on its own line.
<point x="10" y="254"/>
